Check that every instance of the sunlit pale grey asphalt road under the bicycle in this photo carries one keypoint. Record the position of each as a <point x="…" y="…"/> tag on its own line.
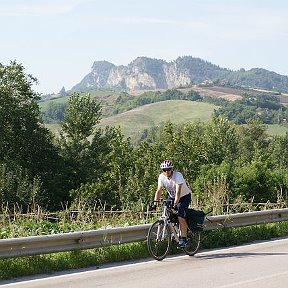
<point x="262" y="264"/>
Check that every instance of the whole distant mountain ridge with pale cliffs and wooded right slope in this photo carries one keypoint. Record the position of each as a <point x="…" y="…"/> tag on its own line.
<point x="147" y="73"/>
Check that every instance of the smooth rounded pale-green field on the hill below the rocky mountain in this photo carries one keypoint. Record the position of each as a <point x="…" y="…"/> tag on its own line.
<point x="177" y="111"/>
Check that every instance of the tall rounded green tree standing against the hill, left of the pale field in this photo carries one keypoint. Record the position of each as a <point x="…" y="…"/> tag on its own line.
<point x="79" y="126"/>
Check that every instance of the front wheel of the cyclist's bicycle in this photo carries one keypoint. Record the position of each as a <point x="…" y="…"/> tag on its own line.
<point x="159" y="240"/>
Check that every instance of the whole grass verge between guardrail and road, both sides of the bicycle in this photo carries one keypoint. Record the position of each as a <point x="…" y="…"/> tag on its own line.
<point x="25" y="266"/>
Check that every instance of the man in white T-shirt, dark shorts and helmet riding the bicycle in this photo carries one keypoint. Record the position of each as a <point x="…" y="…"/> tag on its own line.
<point x="179" y="192"/>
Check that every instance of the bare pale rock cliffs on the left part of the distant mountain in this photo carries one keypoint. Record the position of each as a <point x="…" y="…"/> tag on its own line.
<point x="142" y="73"/>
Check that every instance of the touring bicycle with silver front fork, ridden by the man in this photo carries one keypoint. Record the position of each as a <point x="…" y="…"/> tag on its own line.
<point x="165" y="231"/>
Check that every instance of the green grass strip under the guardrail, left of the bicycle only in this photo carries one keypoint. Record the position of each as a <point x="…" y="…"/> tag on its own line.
<point x="24" y="266"/>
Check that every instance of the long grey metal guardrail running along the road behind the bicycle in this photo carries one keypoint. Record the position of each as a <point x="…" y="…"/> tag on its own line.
<point x="35" y="245"/>
